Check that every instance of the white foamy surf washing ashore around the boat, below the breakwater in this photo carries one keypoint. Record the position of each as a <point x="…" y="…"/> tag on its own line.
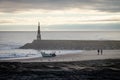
<point x="26" y="54"/>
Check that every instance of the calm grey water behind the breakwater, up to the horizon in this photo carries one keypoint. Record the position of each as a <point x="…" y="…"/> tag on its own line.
<point x="16" y="39"/>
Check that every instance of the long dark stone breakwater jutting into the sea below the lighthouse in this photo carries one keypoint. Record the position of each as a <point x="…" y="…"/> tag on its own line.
<point x="73" y="44"/>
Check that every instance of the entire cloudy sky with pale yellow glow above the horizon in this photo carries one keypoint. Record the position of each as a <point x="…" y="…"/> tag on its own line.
<point x="60" y="15"/>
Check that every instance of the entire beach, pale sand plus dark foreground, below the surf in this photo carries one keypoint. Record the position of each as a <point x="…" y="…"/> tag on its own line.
<point x="86" y="65"/>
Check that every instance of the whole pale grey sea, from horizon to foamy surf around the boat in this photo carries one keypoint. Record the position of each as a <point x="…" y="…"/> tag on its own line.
<point x="10" y="41"/>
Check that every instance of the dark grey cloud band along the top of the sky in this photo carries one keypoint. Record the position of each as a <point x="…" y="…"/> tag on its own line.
<point x="101" y="5"/>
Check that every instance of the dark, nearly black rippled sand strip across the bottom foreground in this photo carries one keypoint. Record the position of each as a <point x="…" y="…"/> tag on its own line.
<point x="107" y="69"/>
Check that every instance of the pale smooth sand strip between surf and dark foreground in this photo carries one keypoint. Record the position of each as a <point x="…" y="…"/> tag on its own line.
<point x="78" y="56"/>
